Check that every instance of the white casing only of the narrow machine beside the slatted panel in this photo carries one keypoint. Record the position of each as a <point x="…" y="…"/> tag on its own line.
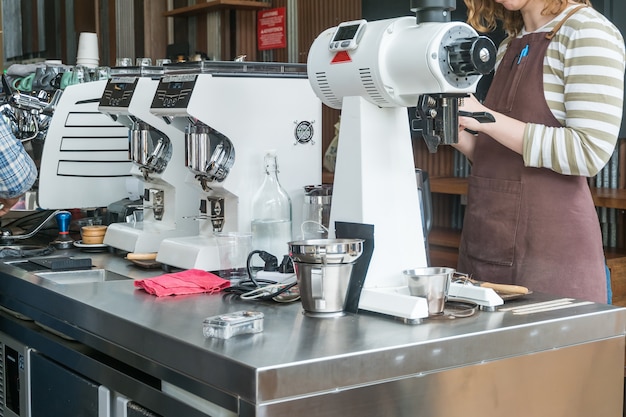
<point x="179" y="196"/>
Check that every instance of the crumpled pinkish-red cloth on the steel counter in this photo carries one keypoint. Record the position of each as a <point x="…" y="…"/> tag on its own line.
<point x="192" y="281"/>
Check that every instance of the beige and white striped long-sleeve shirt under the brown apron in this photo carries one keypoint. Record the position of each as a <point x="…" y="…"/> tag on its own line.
<point x="583" y="76"/>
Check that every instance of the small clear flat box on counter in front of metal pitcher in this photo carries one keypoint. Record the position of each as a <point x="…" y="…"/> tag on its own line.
<point x="225" y="326"/>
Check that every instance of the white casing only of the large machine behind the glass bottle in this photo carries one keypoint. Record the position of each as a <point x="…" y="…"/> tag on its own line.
<point x="257" y="114"/>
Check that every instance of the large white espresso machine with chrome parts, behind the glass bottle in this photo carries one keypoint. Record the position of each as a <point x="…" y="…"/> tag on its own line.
<point x="232" y="114"/>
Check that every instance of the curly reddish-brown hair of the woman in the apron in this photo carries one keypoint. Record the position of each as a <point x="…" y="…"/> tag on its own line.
<point x="483" y="15"/>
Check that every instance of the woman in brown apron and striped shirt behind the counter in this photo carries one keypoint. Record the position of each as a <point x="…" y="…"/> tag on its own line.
<point x="557" y="98"/>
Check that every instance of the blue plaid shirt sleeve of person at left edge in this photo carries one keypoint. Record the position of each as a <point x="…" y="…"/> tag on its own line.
<point x="17" y="170"/>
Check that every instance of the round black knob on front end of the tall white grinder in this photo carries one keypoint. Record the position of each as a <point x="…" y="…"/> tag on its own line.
<point x="472" y="56"/>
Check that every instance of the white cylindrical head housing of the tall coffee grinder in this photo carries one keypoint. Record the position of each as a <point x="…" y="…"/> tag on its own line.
<point x="395" y="61"/>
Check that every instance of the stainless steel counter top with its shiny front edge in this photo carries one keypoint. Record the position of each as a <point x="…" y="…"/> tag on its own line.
<point x="332" y="352"/>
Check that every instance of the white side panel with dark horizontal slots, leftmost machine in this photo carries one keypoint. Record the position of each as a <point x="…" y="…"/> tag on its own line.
<point x="85" y="161"/>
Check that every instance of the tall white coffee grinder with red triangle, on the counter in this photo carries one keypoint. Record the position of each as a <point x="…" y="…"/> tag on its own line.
<point x="373" y="71"/>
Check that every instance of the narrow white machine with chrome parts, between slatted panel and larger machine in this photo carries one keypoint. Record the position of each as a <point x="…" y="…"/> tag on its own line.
<point x="157" y="151"/>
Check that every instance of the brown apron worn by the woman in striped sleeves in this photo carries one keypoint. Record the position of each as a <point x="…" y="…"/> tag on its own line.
<point x="529" y="226"/>
